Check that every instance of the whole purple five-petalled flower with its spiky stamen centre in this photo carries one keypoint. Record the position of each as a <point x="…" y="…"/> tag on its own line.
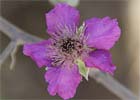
<point x="90" y="43"/>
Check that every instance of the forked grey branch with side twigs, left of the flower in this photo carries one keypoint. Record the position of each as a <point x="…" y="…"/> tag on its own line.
<point x="17" y="36"/>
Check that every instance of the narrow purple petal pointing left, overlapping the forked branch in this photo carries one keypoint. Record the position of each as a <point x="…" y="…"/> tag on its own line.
<point x="38" y="52"/>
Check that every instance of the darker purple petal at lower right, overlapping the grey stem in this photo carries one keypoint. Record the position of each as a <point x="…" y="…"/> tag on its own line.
<point x="100" y="59"/>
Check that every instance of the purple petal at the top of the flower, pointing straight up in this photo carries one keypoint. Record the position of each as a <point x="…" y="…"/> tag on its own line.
<point x="62" y="19"/>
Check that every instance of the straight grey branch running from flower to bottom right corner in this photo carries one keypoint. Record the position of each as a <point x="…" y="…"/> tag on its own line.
<point x="113" y="85"/>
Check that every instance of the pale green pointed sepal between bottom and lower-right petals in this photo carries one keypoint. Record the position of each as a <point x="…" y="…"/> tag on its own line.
<point x="82" y="68"/>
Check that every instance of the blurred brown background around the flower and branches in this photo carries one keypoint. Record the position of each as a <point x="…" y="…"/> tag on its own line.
<point x="26" y="80"/>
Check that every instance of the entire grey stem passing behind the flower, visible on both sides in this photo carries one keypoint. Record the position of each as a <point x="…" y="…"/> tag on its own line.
<point x="16" y="35"/>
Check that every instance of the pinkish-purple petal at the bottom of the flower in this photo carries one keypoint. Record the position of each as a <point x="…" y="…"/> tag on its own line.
<point x="63" y="80"/>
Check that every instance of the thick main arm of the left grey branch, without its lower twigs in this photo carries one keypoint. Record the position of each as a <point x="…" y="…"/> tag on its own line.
<point x="14" y="33"/>
